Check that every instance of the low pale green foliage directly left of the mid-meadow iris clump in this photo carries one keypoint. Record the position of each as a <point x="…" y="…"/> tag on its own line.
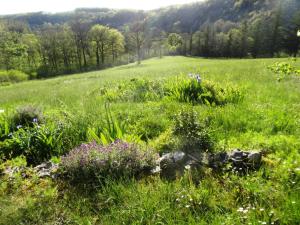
<point x="137" y="90"/>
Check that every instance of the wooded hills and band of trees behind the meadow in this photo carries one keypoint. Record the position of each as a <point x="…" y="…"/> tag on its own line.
<point x="42" y="44"/>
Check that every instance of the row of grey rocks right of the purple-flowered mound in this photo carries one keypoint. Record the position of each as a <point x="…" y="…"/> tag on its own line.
<point x="173" y="165"/>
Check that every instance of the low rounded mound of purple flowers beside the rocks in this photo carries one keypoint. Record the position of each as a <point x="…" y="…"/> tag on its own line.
<point x="93" y="162"/>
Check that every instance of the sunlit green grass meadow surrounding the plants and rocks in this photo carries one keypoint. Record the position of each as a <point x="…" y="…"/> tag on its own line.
<point x="266" y="119"/>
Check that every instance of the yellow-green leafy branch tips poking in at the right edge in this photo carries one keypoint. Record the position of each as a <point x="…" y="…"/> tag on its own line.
<point x="284" y="70"/>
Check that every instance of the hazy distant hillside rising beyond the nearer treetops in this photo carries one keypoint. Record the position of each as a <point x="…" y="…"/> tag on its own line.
<point x="183" y="17"/>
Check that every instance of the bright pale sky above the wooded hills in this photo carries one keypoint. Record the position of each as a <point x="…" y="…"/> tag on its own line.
<point x="21" y="6"/>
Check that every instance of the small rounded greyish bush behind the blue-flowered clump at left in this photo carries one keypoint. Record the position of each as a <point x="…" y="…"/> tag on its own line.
<point x="28" y="115"/>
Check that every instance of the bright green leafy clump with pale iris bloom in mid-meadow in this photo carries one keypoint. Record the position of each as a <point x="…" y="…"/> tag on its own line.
<point x="193" y="90"/>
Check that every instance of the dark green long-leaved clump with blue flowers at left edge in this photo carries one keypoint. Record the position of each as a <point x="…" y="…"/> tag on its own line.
<point x="37" y="143"/>
